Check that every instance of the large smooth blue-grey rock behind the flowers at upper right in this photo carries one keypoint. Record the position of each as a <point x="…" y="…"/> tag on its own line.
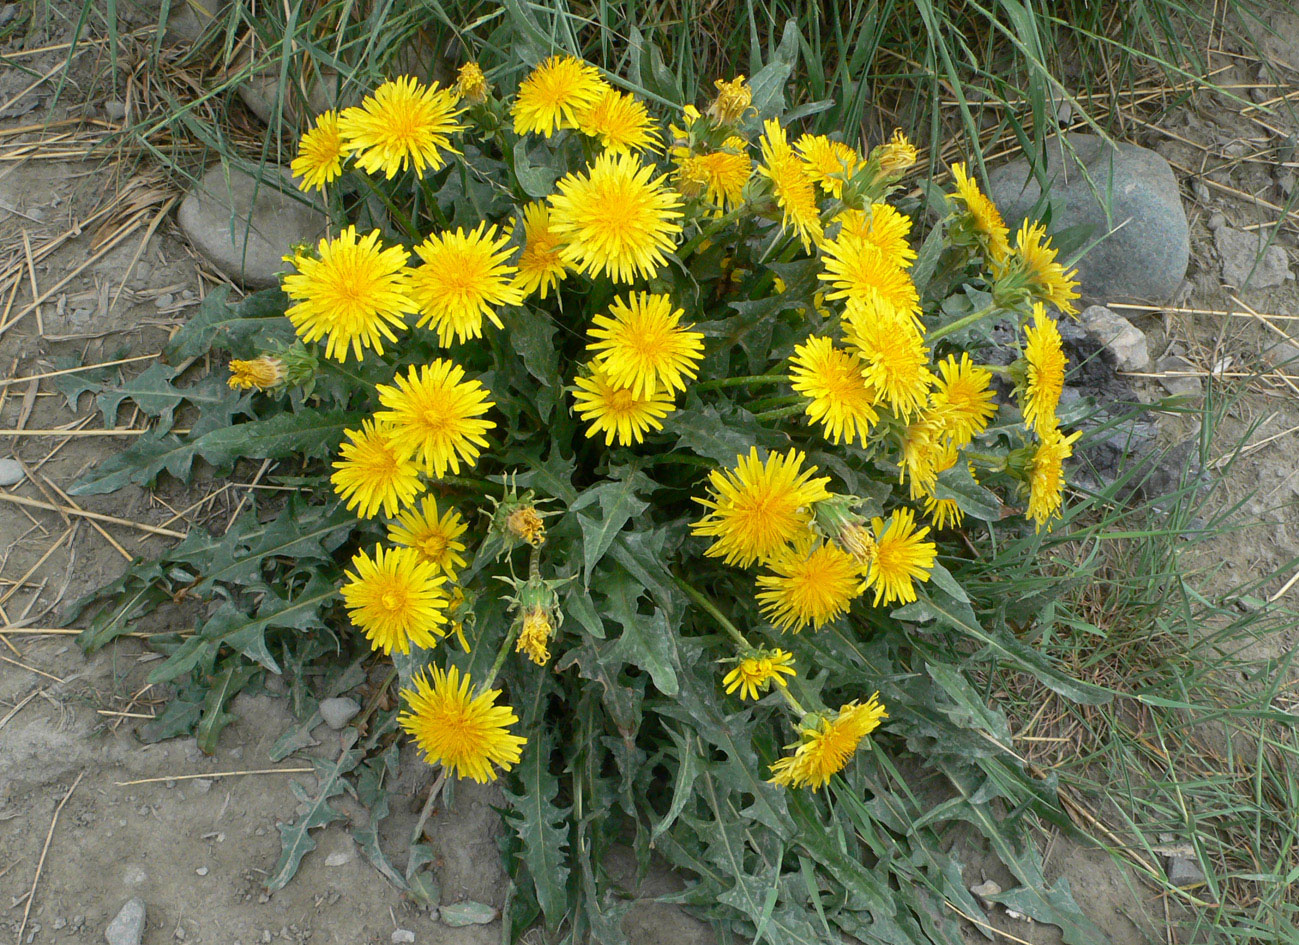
<point x="1146" y="258"/>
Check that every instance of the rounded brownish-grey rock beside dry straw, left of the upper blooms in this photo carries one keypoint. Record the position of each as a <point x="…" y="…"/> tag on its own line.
<point x="246" y="227"/>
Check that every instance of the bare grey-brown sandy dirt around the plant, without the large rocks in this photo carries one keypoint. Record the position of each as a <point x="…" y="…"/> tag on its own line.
<point x="194" y="842"/>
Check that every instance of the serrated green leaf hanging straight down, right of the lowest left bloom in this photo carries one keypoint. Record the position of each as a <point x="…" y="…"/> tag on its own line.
<point x="540" y="825"/>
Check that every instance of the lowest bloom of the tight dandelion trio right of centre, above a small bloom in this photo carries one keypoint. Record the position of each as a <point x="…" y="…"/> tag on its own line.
<point x="810" y="586"/>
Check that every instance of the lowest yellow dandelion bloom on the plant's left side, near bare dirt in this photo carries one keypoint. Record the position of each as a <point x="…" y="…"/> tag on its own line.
<point x="467" y="734"/>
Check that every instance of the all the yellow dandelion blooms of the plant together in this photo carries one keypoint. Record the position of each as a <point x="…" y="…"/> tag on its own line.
<point x="867" y="374"/>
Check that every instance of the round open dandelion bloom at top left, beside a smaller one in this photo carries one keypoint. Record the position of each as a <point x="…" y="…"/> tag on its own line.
<point x="402" y="125"/>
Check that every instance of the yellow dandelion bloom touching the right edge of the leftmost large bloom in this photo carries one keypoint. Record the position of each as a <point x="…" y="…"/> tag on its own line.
<point x="464" y="278"/>
